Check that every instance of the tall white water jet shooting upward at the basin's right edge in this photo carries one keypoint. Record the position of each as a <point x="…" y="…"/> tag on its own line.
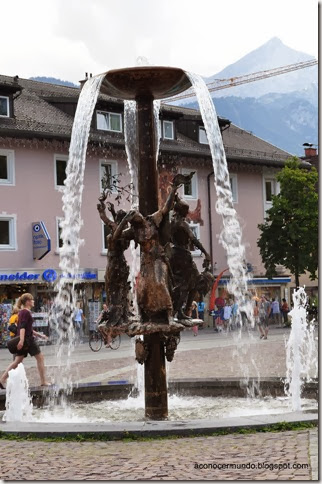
<point x="301" y="352"/>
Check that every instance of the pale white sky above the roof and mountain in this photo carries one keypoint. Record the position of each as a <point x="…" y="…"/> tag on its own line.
<point x="66" y="38"/>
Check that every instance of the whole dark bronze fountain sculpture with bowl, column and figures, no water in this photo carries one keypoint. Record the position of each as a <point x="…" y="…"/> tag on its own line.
<point x="163" y="285"/>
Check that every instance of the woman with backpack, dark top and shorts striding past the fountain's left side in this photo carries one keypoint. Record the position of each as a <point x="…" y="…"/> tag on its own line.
<point x="27" y="335"/>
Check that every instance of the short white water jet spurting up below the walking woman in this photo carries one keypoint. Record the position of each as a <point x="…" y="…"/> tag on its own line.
<point x="18" y="400"/>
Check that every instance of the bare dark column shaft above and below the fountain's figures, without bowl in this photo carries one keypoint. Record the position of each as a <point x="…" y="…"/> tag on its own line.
<point x="156" y="398"/>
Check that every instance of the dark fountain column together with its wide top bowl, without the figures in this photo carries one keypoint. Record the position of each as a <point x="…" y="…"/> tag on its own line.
<point x="144" y="85"/>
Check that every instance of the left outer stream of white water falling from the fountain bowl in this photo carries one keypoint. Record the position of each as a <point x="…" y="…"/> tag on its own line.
<point x="61" y="317"/>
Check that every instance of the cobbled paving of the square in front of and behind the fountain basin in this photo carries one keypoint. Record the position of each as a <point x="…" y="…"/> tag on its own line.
<point x="290" y="455"/>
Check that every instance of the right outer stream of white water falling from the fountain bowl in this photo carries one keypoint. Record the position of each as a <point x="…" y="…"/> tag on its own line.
<point x="231" y="234"/>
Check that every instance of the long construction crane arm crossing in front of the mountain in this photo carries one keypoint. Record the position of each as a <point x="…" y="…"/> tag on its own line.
<point x="218" y="84"/>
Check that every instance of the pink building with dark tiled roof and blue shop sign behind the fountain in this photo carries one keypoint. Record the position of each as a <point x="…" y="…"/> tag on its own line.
<point x="35" y="128"/>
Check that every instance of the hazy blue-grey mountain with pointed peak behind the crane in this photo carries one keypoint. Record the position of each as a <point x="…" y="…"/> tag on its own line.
<point x="282" y="109"/>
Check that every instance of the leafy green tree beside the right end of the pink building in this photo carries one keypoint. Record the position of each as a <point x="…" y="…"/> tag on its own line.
<point x="289" y="235"/>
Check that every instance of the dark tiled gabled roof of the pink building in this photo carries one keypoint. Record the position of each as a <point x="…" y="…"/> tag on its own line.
<point x="36" y="114"/>
